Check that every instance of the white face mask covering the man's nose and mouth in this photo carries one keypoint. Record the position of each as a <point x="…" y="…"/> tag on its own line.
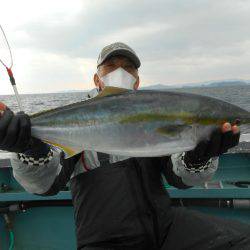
<point x="119" y="78"/>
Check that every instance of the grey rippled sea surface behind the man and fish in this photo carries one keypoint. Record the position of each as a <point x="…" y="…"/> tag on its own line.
<point x="32" y="103"/>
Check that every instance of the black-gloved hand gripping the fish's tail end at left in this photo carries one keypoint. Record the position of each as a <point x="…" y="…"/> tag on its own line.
<point x="15" y="130"/>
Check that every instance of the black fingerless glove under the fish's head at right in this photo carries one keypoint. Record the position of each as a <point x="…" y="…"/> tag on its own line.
<point x="217" y="144"/>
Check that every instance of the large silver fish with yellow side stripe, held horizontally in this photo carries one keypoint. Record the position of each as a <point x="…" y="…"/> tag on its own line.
<point x="135" y="123"/>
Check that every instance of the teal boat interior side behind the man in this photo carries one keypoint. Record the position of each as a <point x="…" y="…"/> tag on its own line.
<point x="44" y="227"/>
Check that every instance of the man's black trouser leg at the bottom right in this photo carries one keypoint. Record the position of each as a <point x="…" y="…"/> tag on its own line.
<point x="192" y="230"/>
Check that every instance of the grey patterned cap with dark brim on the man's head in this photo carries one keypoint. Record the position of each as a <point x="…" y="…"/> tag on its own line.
<point x="121" y="49"/>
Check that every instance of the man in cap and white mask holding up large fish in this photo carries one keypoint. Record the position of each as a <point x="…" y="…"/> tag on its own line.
<point x="120" y="202"/>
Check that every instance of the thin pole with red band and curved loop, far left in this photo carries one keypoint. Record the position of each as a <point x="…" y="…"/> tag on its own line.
<point x="10" y="73"/>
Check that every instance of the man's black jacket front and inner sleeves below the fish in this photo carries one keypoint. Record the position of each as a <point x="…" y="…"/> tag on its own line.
<point x="121" y="202"/>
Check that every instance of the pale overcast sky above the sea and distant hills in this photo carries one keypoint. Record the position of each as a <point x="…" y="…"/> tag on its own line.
<point x="55" y="43"/>
